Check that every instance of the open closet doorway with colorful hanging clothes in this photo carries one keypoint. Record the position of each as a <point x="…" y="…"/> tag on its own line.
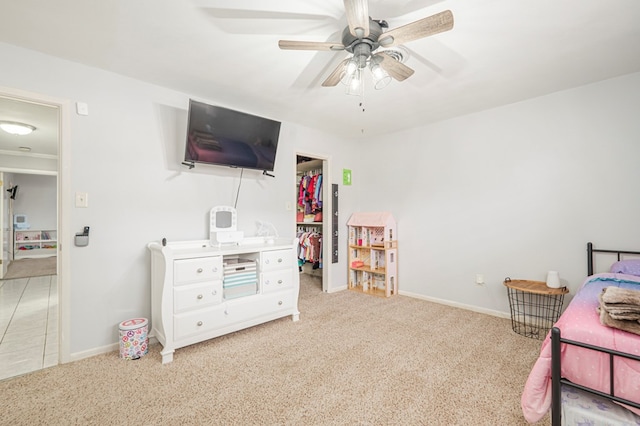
<point x="313" y="218"/>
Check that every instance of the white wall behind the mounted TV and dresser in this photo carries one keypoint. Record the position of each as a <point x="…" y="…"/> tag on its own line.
<point x="126" y="155"/>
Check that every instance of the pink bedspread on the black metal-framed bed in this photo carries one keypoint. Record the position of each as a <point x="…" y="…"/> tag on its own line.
<point x="581" y="322"/>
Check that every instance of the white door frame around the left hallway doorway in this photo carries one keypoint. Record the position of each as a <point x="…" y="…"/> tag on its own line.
<point x="63" y="215"/>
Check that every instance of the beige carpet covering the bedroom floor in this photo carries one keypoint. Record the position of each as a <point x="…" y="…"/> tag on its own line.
<point x="352" y="359"/>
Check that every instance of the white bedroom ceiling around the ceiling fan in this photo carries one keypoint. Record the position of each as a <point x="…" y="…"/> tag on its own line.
<point x="499" y="52"/>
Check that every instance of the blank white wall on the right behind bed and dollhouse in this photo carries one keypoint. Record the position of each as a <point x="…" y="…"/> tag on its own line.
<point x="514" y="191"/>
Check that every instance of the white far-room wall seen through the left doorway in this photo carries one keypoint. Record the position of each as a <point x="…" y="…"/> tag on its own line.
<point x="37" y="198"/>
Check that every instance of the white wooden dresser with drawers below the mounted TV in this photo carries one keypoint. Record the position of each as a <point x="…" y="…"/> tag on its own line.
<point x="199" y="292"/>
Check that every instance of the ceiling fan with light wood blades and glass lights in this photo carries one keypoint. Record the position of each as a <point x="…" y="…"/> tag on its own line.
<point x="363" y="37"/>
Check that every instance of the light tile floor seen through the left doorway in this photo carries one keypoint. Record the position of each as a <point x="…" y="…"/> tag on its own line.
<point x="28" y="325"/>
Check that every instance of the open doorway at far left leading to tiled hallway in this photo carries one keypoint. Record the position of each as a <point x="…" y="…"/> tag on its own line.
<point x="34" y="292"/>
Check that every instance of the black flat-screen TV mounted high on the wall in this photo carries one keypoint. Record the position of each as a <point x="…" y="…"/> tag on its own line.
<point x="224" y="137"/>
